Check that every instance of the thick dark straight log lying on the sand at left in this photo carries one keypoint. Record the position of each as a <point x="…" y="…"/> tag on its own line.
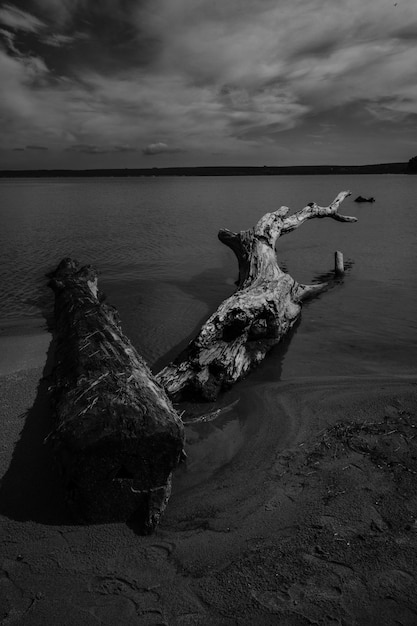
<point x="117" y="437"/>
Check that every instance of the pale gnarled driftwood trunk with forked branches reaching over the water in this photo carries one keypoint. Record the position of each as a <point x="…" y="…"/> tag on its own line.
<point x="249" y="323"/>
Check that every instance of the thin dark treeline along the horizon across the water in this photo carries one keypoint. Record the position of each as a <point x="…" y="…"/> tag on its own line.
<point x="382" y="168"/>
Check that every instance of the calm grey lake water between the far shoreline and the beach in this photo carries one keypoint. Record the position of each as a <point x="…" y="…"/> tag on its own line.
<point x="154" y="242"/>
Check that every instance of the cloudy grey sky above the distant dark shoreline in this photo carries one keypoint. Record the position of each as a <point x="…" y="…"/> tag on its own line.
<point x="155" y="83"/>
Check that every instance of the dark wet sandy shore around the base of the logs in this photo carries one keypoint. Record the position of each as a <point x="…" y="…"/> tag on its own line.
<point x="309" y="516"/>
